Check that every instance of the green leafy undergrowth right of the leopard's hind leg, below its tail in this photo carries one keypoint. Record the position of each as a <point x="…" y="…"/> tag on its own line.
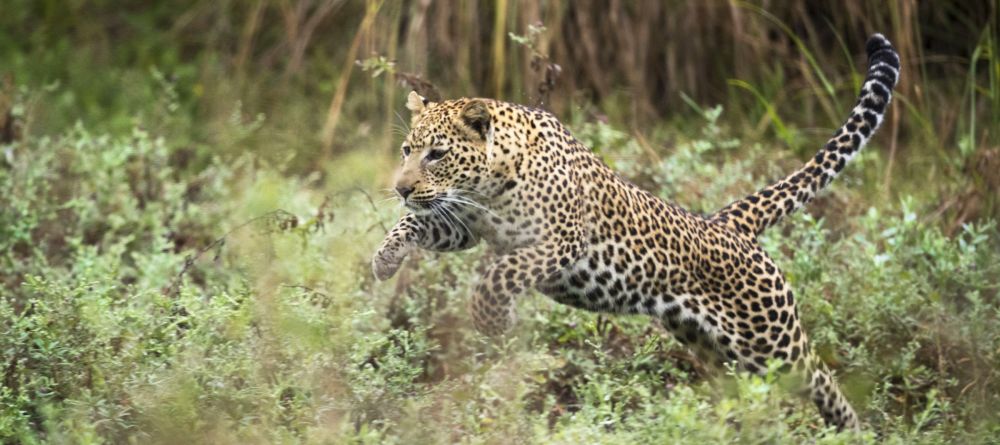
<point x="910" y="314"/>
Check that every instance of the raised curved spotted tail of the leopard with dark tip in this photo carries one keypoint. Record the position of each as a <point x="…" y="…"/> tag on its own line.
<point x="755" y="213"/>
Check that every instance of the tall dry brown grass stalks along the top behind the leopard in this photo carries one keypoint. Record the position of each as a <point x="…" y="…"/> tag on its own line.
<point x="772" y="64"/>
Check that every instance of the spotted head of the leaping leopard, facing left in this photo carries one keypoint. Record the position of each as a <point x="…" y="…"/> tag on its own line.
<point x="446" y="155"/>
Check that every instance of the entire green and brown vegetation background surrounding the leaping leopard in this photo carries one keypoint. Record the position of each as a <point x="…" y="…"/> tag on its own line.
<point x="190" y="191"/>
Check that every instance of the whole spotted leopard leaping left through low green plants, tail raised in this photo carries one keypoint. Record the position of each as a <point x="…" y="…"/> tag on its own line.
<point x="562" y="222"/>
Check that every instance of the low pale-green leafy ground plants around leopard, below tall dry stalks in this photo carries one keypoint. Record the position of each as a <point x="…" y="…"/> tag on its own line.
<point x="279" y="333"/>
